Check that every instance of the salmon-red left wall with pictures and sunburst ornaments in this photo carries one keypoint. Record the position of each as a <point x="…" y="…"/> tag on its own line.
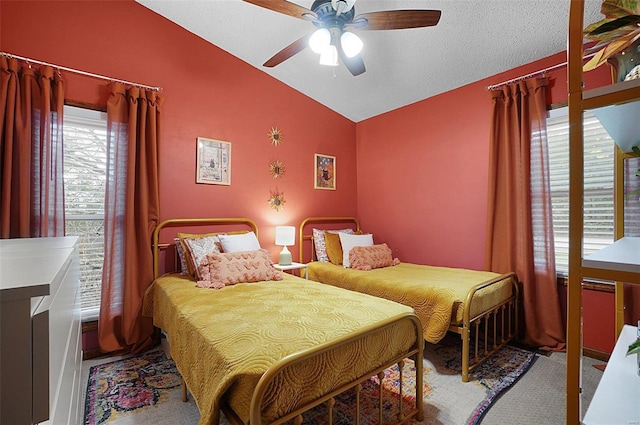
<point x="209" y="93"/>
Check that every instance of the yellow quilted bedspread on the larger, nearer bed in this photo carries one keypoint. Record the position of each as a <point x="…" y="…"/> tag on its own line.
<point x="224" y="340"/>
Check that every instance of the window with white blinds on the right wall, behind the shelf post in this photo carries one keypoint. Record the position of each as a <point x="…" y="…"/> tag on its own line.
<point x="599" y="155"/>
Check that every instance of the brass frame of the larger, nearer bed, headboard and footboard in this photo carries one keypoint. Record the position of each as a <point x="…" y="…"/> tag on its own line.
<point x="285" y="364"/>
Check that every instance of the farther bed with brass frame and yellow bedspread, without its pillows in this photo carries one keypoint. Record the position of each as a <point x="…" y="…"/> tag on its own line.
<point x="445" y="299"/>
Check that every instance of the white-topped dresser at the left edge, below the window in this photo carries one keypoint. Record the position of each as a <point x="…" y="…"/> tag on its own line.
<point x="40" y="331"/>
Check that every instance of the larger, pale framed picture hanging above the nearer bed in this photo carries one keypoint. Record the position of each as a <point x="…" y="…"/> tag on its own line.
<point x="213" y="162"/>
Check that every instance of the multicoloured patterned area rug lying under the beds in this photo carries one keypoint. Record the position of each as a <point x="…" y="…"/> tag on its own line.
<point x="145" y="389"/>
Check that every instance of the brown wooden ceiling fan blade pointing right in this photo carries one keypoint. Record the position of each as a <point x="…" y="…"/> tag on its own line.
<point x="396" y="19"/>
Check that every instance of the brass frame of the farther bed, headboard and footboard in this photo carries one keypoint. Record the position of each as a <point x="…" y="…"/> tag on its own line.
<point x="491" y="329"/>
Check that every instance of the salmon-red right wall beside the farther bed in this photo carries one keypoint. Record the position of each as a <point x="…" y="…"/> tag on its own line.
<point x="423" y="169"/>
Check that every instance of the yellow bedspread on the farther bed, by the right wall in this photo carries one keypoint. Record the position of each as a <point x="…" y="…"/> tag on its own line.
<point x="437" y="294"/>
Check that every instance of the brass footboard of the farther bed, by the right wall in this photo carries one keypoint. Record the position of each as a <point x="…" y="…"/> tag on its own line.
<point x="488" y="330"/>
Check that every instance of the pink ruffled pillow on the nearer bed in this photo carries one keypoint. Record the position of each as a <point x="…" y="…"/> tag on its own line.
<point x="228" y="268"/>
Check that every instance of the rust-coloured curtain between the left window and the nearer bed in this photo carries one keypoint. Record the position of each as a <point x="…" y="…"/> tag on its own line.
<point x="131" y="214"/>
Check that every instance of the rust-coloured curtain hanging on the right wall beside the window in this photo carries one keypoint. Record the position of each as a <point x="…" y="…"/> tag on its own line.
<point x="519" y="229"/>
